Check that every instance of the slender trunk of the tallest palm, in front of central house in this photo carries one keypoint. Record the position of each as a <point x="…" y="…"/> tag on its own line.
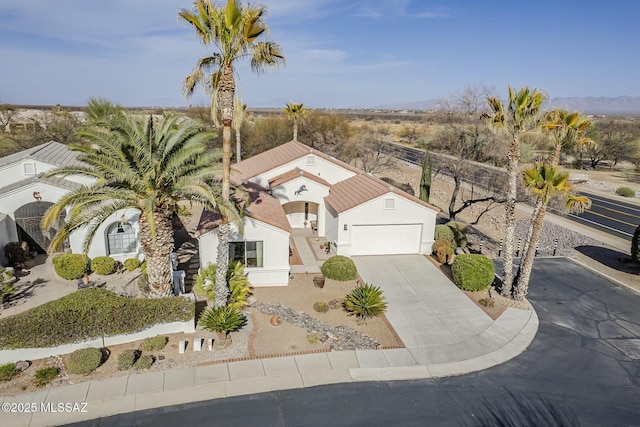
<point x="226" y="90"/>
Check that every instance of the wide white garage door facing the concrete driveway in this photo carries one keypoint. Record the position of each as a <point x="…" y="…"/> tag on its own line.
<point x="386" y="239"/>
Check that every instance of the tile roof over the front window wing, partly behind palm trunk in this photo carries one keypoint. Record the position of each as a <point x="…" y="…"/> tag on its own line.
<point x="262" y="207"/>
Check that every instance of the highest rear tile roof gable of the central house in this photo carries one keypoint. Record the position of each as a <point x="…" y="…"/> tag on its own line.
<point x="281" y="155"/>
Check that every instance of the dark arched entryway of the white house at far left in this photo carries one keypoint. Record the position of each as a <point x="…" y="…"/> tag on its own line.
<point x="28" y="218"/>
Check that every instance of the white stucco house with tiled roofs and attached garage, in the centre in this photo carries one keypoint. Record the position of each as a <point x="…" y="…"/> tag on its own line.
<point x="300" y="187"/>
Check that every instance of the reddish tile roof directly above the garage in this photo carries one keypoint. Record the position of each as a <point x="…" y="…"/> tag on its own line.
<point x="362" y="188"/>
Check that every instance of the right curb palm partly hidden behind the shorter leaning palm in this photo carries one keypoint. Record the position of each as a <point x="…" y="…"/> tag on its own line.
<point x="563" y="129"/>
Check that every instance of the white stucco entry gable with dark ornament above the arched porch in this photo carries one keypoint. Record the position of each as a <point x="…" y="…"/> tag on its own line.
<point x="315" y="193"/>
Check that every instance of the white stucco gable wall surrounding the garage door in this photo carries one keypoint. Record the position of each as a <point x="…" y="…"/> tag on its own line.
<point x="373" y="213"/>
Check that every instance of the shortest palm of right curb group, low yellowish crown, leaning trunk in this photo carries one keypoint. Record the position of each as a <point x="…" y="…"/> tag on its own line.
<point x="543" y="180"/>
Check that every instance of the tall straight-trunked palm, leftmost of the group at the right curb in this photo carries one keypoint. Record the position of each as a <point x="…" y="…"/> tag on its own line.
<point x="520" y="116"/>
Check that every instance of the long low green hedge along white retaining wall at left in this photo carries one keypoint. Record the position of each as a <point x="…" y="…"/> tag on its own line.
<point x="86" y="314"/>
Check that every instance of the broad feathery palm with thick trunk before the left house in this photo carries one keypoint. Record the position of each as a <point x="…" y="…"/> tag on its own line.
<point x="146" y="165"/>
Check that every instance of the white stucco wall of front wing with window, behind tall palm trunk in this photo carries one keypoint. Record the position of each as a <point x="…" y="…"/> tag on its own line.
<point x="275" y="261"/>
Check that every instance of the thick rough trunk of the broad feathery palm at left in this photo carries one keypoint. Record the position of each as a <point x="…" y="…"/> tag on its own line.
<point x="157" y="252"/>
